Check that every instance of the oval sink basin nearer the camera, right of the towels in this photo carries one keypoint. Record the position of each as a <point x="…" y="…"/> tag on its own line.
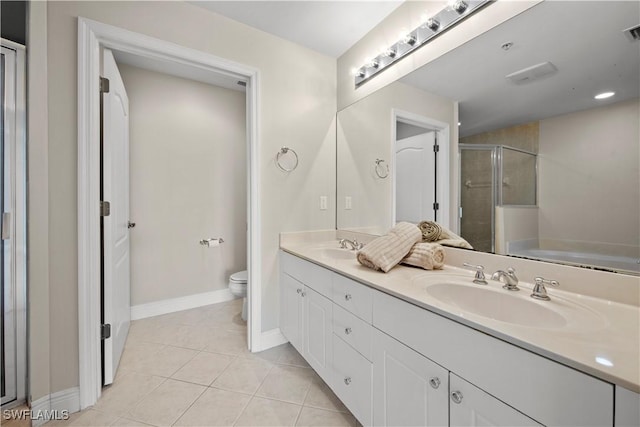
<point x="516" y="307"/>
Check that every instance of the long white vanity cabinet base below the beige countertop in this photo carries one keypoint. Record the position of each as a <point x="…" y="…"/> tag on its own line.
<point x="393" y="363"/>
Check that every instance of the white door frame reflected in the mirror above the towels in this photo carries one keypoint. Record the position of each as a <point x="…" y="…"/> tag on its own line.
<point x="443" y="159"/>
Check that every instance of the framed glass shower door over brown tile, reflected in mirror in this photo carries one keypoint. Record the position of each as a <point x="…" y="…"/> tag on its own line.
<point x="477" y="196"/>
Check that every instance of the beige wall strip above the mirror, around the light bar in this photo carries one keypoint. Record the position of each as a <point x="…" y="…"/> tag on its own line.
<point x="406" y="18"/>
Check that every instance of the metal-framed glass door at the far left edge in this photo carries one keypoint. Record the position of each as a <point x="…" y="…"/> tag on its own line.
<point x="13" y="255"/>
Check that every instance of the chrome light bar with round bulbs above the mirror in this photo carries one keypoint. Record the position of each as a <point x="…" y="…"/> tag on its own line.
<point x="452" y="14"/>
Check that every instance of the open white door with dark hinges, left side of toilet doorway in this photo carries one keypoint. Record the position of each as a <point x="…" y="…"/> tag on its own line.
<point x="116" y="246"/>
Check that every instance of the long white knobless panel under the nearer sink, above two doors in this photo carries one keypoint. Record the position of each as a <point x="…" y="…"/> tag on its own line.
<point x="548" y="392"/>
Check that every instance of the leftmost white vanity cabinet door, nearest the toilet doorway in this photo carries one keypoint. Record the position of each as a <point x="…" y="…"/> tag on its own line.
<point x="291" y="306"/>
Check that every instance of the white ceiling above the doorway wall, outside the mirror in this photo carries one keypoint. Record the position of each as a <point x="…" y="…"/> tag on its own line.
<point x="329" y="27"/>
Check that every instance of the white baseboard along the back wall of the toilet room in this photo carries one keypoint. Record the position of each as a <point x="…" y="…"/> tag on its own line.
<point x="181" y="303"/>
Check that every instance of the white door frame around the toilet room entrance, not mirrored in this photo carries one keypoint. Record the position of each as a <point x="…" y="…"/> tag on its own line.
<point x="93" y="35"/>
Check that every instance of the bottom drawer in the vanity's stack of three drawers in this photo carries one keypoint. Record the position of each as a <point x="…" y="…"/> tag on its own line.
<point x="352" y="377"/>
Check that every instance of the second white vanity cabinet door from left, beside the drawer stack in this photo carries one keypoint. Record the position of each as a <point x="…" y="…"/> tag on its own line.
<point x="318" y="329"/>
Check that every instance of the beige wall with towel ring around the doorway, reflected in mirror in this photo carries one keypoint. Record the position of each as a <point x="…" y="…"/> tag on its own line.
<point x="364" y="134"/>
